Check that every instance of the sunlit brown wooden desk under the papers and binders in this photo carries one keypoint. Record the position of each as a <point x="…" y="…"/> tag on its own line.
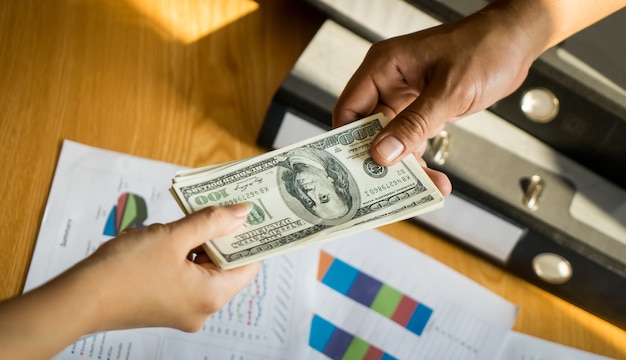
<point x="186" y="82"/>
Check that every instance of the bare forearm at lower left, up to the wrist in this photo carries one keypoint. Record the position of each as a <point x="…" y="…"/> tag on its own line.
<point x="44" y="321"/>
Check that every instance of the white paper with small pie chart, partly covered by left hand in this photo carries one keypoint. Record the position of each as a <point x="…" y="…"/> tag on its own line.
<point x="98" y="193"/>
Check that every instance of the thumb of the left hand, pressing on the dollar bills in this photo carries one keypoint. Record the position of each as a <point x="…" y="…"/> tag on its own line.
<point x="209" y="223"/>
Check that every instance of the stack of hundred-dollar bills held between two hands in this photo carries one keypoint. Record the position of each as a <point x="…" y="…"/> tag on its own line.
<point x="322" y="188"/>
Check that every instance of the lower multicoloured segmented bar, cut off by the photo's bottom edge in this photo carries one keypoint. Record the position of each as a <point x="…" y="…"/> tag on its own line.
<point x="337" y="343"/>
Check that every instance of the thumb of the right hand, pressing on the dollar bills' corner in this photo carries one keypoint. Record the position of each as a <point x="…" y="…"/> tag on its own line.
<point x="410" y="129"/>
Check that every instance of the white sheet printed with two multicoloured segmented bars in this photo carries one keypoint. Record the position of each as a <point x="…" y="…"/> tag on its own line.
<point x="377" y="299"/>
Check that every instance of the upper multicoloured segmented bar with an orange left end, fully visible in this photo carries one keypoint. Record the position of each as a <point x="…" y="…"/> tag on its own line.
<point x="371" y="292"/>
